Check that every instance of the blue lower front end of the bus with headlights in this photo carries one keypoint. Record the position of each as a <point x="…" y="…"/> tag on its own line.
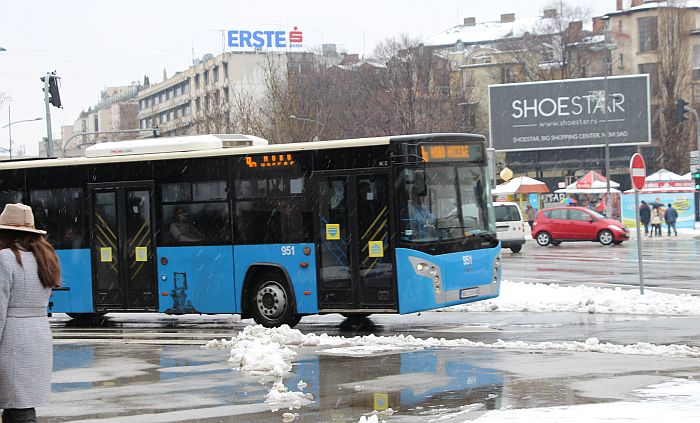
<point x="428" y="282"/>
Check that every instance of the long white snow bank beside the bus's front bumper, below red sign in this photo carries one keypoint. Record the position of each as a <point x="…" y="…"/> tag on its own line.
<point x="538" y="297"/>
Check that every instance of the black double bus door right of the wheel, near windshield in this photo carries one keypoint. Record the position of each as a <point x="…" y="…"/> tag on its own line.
<point x="352" y="226"/>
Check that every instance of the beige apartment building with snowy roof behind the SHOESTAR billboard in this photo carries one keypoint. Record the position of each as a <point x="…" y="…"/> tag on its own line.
<point x="548" y="47"/>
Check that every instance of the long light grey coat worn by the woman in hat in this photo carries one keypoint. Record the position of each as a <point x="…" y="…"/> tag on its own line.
<point x="26" y="345"/>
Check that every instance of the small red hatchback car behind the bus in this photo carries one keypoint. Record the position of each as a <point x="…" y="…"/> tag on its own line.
<point x="558" y="224"/>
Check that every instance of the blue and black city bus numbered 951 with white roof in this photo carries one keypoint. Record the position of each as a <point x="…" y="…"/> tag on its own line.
<point x="229" y="224"/>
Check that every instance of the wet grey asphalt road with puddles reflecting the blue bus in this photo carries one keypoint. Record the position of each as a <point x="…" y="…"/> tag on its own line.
<point x="151" y="368"/>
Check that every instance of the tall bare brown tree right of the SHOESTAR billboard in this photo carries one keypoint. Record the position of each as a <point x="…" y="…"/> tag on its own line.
<point x="675" y="25"/>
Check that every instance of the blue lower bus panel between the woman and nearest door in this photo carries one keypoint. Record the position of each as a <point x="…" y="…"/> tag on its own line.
<point x="75" y="294"/>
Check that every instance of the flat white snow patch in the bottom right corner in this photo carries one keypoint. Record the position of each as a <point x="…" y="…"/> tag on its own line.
<point x="678" y="400"/>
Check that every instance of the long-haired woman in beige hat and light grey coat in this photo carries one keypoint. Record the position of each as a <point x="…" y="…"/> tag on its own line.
<point x="29" y="269"/>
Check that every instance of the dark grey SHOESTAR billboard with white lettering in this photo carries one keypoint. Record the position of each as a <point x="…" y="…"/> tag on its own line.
<point x="570" y="113"/>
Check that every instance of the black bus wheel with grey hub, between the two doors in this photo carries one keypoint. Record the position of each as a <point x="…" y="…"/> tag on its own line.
<point x="272" y="303"/>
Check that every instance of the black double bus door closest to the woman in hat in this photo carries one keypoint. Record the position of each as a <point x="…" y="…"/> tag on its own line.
<point x="122" y="244"/>
